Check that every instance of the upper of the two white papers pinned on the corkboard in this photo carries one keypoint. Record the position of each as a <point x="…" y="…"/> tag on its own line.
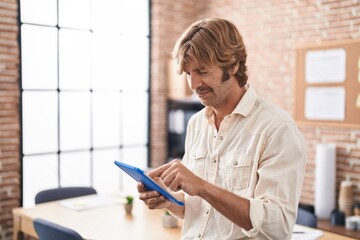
<point x="325" y="66"/>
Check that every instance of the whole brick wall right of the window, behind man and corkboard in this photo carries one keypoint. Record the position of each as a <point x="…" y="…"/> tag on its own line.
<point x="271" y="29"/>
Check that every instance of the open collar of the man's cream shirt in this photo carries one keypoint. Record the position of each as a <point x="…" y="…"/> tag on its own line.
<point x="244" y="107"/>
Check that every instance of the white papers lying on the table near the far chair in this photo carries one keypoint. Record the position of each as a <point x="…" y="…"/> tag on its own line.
<point x="90" y="202"/>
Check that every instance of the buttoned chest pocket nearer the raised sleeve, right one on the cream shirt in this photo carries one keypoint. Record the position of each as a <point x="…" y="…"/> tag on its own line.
<point x="238" y="172"/>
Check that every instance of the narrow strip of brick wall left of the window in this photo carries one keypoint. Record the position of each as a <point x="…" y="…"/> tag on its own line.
<point x="9" y="116"/>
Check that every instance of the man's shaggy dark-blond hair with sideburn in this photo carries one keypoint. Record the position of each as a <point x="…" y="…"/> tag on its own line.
<point x="212" y="42"/>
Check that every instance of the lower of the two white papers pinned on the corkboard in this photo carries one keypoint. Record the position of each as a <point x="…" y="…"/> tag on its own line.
<point x="325" y="103"/>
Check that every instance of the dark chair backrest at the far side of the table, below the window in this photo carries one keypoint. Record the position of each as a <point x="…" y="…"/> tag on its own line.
<point x="62" y="193"/>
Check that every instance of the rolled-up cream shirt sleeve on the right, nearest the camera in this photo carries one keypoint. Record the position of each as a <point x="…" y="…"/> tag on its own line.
<point x="280" y="178"/>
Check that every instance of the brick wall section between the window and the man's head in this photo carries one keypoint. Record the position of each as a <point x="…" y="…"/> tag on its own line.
<point x="169" y="18"/>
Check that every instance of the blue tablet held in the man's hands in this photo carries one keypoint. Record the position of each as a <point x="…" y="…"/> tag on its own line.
<point x="149" y="183"/>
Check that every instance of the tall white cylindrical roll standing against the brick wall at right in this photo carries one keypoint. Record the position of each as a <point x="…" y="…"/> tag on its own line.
<point x="325" y="180"/>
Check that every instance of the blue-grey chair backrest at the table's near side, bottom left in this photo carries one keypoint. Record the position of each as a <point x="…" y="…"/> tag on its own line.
<point x="47" y="230"/>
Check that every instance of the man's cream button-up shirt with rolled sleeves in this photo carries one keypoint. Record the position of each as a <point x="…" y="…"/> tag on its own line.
<point x="257" y="153"/>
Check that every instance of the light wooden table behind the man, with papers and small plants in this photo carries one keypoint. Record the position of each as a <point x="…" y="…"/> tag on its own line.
<point x="107" y="222"/>
